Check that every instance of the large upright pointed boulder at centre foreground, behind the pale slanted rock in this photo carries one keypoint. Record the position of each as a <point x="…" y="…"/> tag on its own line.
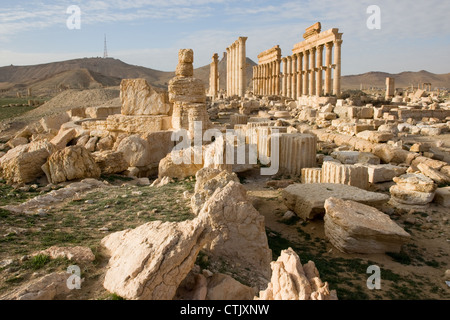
<point x="241" y="237"/>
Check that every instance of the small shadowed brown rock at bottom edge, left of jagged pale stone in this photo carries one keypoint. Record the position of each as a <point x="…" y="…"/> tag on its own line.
<point x="223" y="287"/>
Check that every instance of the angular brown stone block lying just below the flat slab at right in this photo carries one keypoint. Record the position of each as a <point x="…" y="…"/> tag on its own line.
<point x="357" y="228"/>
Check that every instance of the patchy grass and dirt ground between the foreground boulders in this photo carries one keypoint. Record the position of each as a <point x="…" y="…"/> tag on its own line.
<point x="84" y="219"/>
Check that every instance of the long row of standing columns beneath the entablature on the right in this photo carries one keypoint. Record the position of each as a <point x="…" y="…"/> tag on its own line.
<point x="302" y="73"/>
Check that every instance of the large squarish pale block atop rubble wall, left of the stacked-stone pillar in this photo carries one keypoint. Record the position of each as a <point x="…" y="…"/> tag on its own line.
<point x="140" y="98"/>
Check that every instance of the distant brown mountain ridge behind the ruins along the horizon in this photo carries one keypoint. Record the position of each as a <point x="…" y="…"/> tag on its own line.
<point x="47" y="79"/>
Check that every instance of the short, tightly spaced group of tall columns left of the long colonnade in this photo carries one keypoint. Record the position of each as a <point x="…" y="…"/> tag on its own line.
<point x="236" y="68"/>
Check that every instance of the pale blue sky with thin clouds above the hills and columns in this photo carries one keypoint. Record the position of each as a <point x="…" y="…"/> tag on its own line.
<point x="414" y="35"/>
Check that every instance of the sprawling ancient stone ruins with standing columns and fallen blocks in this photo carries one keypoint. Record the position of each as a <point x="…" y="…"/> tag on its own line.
<point x="286" y="169"/>
